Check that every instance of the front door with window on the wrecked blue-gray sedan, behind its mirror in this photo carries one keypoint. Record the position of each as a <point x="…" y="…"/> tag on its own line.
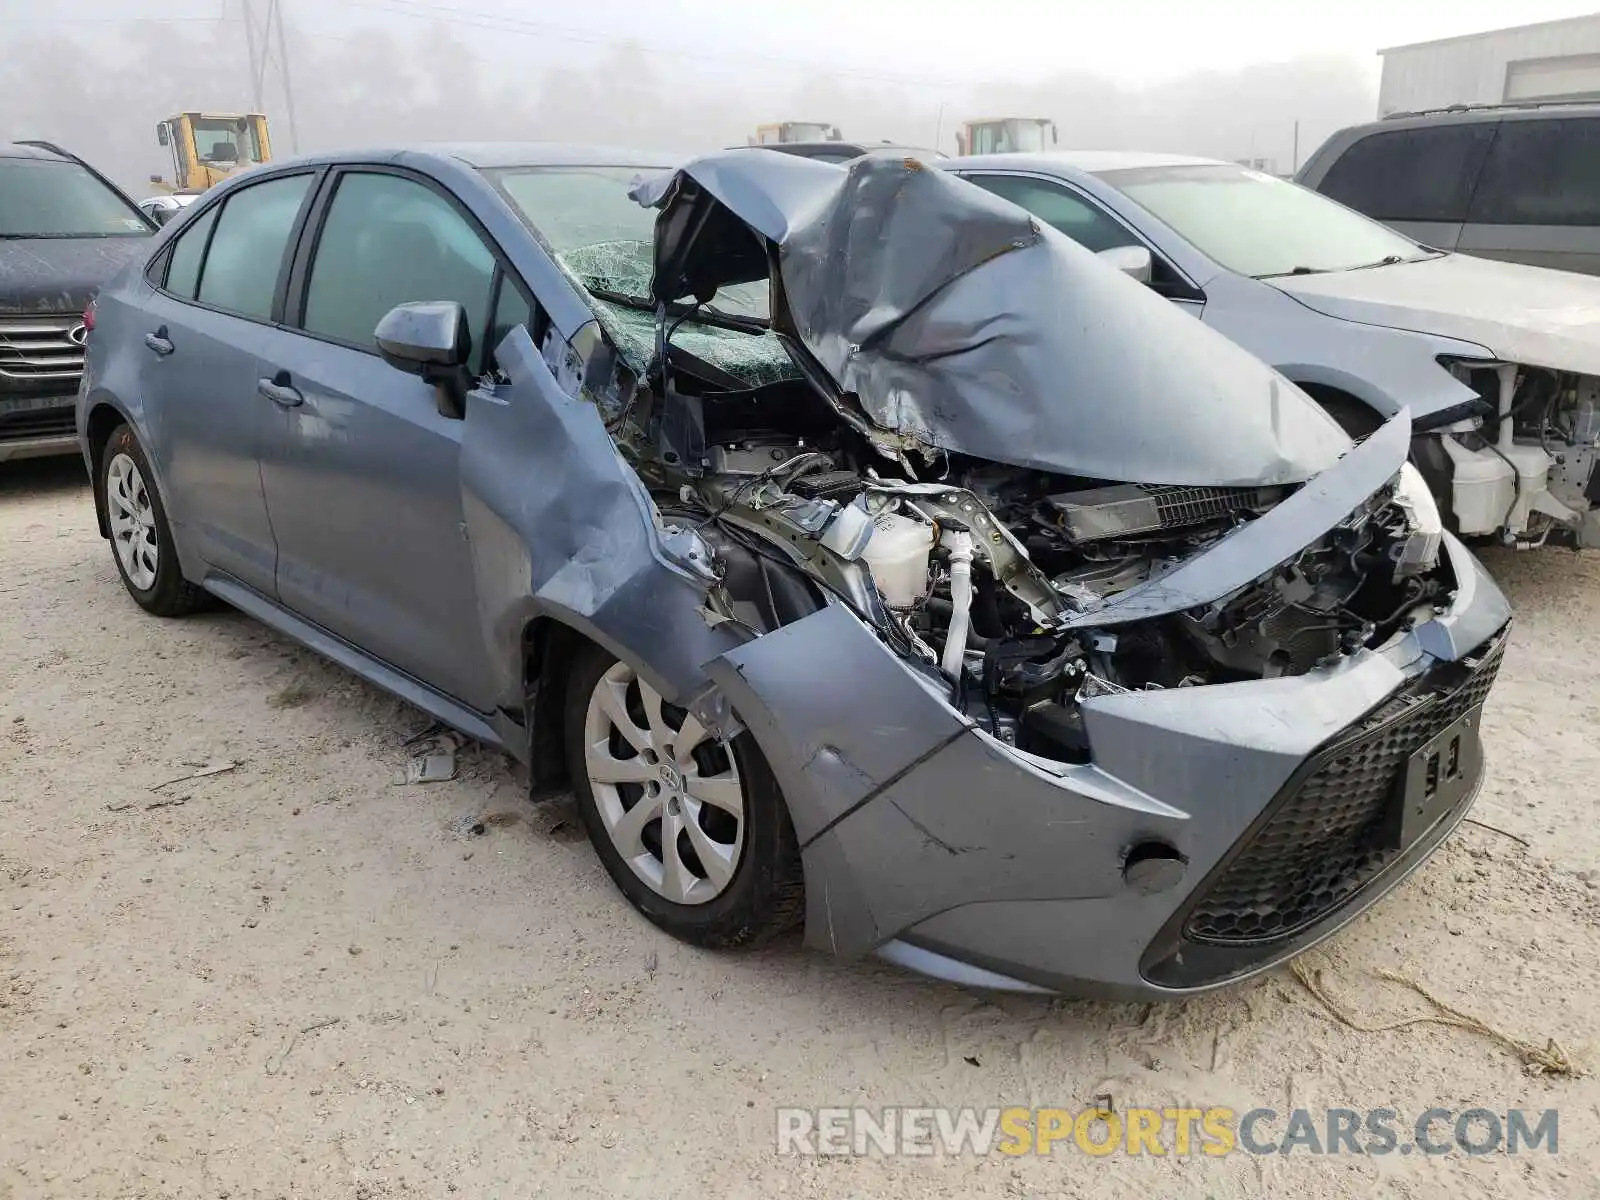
<point x="361" y="470"/>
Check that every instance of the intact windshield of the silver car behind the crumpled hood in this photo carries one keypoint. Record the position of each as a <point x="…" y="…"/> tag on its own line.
<point x="1258" y="225"/>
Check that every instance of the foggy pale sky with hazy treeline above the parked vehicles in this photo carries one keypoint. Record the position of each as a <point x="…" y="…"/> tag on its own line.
<point x="1230" y="79"/>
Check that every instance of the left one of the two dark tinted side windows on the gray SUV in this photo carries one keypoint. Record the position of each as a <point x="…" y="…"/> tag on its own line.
<point x="1412" y="175"/>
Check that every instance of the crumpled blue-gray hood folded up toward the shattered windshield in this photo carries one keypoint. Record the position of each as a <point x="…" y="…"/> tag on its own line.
<point x="954" y="319"/>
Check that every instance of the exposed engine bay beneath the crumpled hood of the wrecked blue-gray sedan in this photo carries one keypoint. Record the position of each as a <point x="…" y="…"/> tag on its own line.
<point x="986" y="577"/>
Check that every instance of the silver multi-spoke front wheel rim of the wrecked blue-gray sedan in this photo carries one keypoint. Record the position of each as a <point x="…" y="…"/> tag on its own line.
<point x="670" y="794"/>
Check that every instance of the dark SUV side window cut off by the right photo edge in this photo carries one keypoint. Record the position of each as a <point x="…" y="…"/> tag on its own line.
<point x="1542" y="174"/>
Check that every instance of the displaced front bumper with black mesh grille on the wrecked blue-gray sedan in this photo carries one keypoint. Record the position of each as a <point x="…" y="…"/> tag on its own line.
<point x="930" y="844"/>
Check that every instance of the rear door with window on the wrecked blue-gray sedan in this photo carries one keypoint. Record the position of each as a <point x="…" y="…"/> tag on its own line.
<point x="218" y="289"/>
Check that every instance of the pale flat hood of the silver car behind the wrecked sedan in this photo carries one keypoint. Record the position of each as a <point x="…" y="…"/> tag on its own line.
<point x="1522" y="314"/>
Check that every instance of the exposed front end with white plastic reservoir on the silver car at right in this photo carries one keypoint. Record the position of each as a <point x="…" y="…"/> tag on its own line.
<point x="1522" y="463"/>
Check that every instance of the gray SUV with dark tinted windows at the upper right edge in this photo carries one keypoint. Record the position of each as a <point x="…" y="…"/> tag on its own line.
<point x="1518" y="183"/>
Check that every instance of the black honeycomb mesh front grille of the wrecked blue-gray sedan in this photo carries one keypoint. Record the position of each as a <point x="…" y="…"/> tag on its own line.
<point x="1324" y="839"/>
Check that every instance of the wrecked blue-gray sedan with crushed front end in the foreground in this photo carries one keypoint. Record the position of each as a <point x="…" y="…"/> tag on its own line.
<point x="860" y="551"/>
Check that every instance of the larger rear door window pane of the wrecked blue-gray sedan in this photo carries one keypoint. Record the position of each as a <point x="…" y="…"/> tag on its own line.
<point x="242" y="266"/>
